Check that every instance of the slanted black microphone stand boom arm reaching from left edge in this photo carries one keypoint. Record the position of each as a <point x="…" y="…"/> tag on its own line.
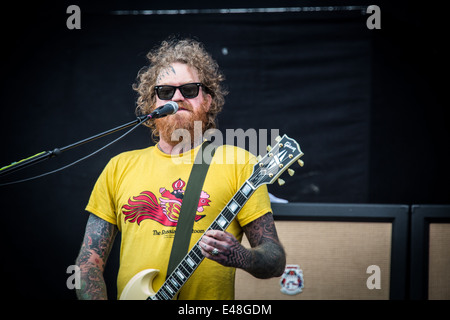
<point x="44" y="155"/>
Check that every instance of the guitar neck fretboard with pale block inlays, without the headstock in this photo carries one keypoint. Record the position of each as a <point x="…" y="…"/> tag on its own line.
<point x="192" y="260"/>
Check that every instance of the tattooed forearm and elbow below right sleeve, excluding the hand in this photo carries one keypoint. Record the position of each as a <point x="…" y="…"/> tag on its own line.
<point x="267" y="258"/>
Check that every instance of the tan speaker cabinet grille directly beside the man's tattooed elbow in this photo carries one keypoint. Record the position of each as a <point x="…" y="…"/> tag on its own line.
<point x="334" y="257"/>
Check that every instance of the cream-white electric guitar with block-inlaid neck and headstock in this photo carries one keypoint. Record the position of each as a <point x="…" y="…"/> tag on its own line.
<point x="279" y="157"/>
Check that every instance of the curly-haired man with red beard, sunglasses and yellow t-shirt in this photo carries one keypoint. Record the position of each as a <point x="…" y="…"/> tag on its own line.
<point x="183" y="72"/>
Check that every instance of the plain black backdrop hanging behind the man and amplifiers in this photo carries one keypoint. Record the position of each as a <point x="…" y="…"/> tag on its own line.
<point x="365" y="105"/>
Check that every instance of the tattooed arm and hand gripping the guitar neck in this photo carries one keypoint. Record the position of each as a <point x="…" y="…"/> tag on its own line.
<point x="265" y="259"/>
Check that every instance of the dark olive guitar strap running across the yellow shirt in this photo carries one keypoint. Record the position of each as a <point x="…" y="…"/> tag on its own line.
<point x="189" y="208"/>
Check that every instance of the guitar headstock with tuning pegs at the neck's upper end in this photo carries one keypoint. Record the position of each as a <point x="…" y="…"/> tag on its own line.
<point x="277" y="160"/>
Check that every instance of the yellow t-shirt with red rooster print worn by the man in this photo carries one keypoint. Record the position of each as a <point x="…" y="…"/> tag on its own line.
<point x="140" y="191"/>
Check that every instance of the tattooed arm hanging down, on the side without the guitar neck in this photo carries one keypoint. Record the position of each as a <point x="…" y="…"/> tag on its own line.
<point x="98" y="241"/>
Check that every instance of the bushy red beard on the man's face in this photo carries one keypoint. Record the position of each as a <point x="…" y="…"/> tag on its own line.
<point x="183" y="119"/>
